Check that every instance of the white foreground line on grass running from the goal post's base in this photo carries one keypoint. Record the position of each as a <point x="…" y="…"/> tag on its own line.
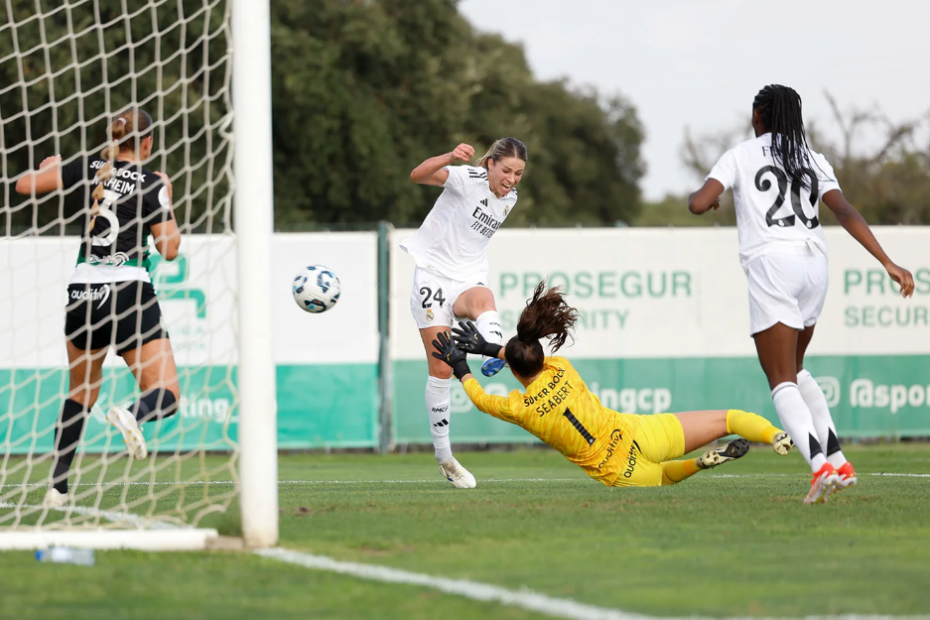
<point x="523" y="598"/>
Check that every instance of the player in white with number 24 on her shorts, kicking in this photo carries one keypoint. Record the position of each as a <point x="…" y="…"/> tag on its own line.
<point x="451" y="279"/>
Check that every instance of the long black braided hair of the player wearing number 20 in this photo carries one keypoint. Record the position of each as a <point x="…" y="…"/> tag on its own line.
<point x="779" y="109"/>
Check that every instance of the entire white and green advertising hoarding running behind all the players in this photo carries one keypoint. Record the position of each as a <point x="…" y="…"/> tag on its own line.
<point x="663" y="327"/>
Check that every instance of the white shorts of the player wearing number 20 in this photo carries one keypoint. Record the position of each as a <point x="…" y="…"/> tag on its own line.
<point x="786" y="287"/>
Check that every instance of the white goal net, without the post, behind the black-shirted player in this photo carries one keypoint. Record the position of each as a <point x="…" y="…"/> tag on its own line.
<point x="66" y="69"/>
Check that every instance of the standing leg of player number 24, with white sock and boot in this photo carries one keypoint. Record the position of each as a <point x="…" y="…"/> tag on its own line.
<point x="439" y="409"/>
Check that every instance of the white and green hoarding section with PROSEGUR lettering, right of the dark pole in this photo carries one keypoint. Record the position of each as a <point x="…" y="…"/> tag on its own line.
<point x="664" y="326"/>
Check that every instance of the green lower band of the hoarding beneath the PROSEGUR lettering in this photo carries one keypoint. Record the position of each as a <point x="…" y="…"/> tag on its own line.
<point x="869" y="396"/>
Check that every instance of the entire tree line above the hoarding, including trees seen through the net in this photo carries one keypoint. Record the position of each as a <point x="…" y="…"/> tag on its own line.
<point x="364" y="90"/>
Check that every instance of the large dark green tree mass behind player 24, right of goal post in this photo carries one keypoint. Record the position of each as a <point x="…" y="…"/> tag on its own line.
<point x="364" y="91"/>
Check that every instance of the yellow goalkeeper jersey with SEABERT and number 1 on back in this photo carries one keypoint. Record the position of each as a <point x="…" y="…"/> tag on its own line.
<point x="558" y="408"/>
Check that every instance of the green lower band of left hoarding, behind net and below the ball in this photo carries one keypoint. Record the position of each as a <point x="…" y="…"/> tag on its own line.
<point x="319" y="406"/>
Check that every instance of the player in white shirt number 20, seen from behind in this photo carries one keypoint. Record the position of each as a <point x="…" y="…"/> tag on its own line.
<point x="778" y="183"/>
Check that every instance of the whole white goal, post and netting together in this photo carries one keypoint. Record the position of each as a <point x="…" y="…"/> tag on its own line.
<point x="202" y="69"/>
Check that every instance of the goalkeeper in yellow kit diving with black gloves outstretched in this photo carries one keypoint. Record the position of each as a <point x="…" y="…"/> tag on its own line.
<point x="618" y="449"/>
